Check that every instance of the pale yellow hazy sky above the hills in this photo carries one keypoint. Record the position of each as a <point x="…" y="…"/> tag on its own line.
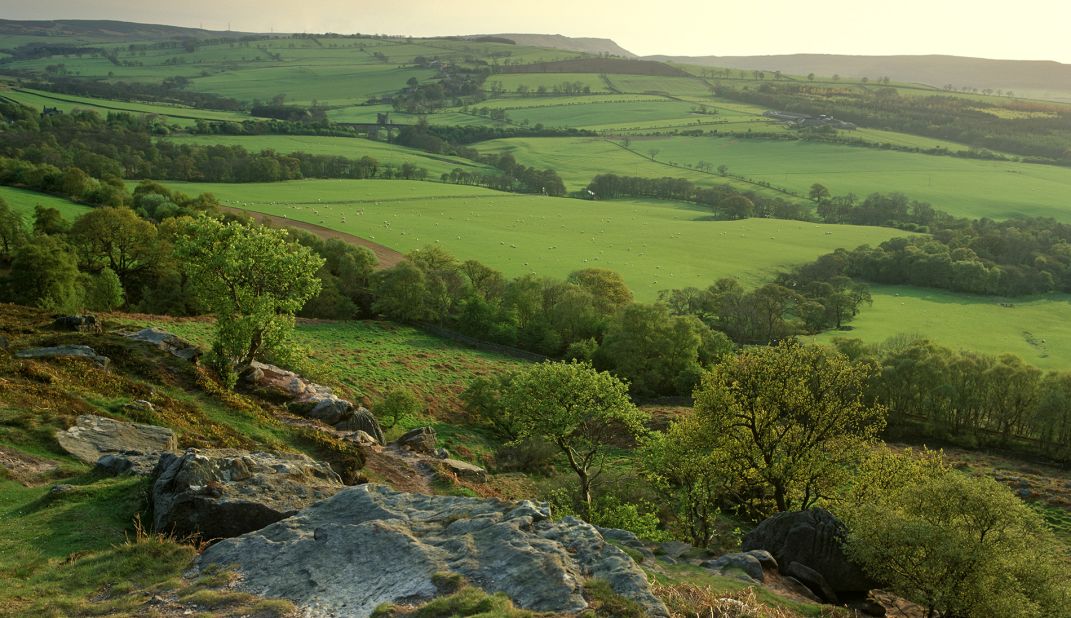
<point x="1024" y="29"/>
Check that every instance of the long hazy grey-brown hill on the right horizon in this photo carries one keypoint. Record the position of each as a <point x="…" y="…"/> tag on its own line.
<point x="939" y="71"/>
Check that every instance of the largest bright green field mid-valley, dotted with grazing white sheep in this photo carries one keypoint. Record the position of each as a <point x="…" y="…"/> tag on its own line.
<point x="655" y="246"/>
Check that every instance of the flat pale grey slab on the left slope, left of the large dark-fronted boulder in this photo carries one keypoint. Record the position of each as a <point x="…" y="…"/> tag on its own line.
<point x="94" y="438"/>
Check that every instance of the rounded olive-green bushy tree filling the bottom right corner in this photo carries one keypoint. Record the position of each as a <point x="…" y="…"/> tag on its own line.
<point x="958" y="546"/>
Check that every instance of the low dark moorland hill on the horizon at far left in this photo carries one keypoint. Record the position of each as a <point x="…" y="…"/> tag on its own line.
<point x="107" y="29"/>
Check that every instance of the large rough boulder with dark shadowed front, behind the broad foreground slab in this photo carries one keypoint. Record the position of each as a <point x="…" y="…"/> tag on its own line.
<point x="227" y="493"/>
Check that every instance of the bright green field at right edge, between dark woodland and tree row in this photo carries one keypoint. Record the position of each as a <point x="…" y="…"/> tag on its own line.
<point x="1034" y="328"/>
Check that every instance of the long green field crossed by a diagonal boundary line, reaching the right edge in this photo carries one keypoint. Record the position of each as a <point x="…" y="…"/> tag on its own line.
<point x="962" y="187"/>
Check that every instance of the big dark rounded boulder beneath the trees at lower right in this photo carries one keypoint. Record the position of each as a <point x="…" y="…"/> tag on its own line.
<point x="813" y="539"/>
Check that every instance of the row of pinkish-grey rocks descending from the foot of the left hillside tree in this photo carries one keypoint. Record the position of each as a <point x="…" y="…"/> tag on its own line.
<point x="311" y="400"/>
